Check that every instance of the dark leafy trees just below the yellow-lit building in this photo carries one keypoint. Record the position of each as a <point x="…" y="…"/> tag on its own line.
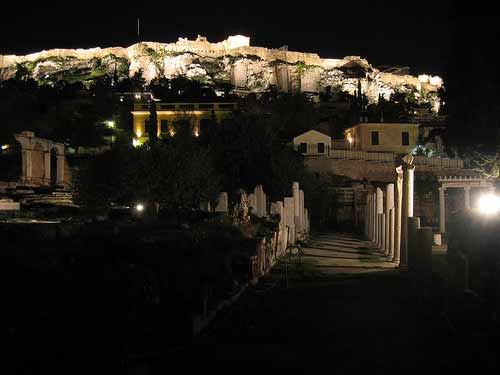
<point x="175" y="173"/>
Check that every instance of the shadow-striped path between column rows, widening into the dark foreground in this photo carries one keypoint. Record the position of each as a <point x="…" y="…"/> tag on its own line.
<point x="350" y="309"/>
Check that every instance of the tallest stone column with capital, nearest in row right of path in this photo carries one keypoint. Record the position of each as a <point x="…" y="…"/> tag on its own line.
<point x="407" y="209"/>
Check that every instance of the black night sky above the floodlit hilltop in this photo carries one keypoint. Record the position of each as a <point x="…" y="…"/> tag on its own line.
<point x="385" y="32"/>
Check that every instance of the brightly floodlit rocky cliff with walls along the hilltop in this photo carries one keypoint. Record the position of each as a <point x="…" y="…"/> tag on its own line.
<point x="249" y="69"/>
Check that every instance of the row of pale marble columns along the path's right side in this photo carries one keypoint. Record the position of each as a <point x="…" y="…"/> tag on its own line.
<point x="389" y="221"/>
